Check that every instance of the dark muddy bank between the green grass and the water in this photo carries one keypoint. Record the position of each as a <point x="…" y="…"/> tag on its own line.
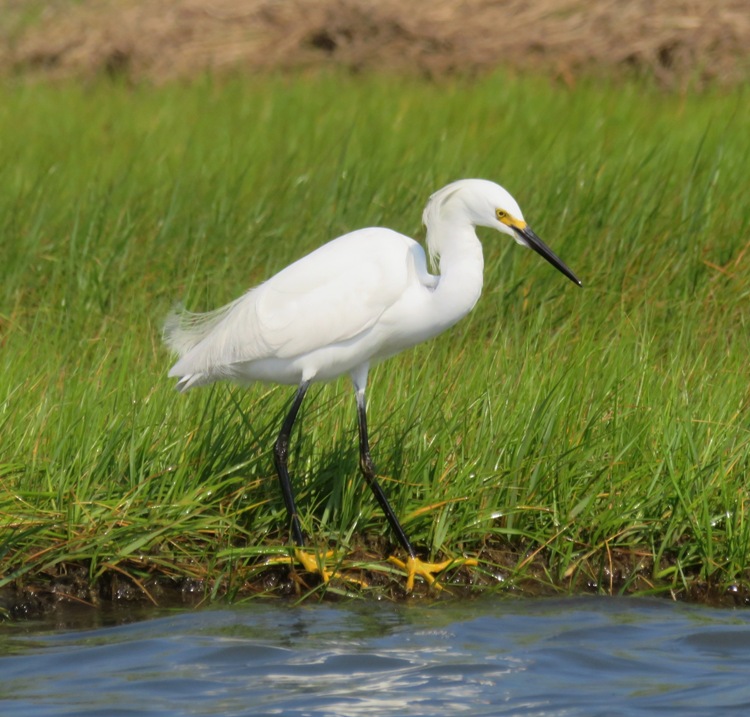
<point x="136" y="583"/>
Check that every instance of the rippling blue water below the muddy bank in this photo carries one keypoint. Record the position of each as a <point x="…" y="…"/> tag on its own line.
<point x="582" y="656"/>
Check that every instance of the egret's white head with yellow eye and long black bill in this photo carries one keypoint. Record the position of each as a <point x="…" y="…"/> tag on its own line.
<point x="486" y="204"/>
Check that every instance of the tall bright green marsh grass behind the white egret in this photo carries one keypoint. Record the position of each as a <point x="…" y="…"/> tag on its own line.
<point x="572" y="439"/>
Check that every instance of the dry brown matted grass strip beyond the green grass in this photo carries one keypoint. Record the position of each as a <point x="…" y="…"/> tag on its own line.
<point x="679" y="42"/>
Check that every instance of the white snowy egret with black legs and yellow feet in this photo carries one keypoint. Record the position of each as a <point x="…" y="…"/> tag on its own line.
<point x="354" y="301"/>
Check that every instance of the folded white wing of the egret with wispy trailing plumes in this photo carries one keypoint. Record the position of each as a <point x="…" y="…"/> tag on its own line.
<point x="327" y="297"/>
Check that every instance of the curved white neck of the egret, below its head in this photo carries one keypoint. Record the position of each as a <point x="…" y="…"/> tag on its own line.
<point x="461" y="270"/>
